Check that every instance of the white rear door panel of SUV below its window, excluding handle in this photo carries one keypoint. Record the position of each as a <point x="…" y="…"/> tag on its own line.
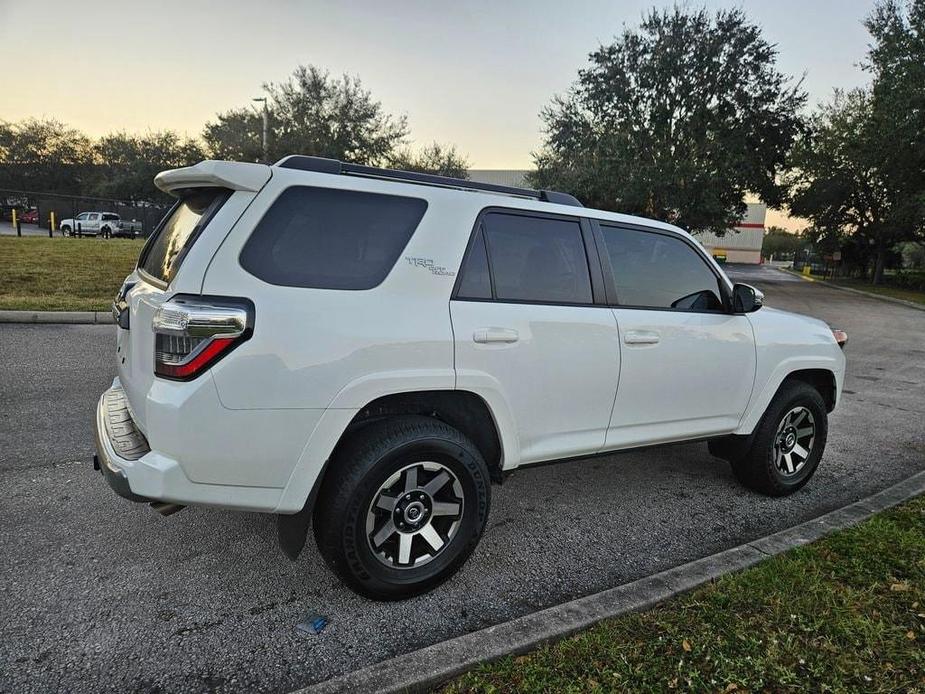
<point x="558" y="378"/>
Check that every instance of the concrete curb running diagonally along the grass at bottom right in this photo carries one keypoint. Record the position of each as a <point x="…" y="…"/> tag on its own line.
<point x="425" y="668"/>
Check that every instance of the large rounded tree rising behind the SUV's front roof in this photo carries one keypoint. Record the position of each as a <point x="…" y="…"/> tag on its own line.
<point x="678" y="121"/>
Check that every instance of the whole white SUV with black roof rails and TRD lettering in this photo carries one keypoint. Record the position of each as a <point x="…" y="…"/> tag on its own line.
<point x="369" y="349"/>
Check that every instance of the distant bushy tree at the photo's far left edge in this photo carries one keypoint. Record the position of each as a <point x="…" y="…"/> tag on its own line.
<point x="44" y="155"/>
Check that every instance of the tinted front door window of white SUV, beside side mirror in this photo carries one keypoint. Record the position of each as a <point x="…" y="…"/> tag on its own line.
<point x="659" y="271"/>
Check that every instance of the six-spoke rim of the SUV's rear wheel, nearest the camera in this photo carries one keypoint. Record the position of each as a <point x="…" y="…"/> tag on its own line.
<point x="414" y="515"/>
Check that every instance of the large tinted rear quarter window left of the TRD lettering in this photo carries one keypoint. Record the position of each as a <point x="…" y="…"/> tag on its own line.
<point x="327" y="238"/>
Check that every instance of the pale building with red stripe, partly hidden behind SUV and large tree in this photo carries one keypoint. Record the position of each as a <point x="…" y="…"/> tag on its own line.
<point x="742" y="244"/>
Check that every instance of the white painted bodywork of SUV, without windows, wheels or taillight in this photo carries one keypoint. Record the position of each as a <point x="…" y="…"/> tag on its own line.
<point x="256" y="430"/>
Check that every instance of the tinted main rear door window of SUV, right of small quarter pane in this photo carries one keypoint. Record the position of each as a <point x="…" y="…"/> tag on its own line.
<point x="537" y="259"/>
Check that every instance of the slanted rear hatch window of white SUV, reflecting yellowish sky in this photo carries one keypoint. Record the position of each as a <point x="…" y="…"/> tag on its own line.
<point x="164" y="252"/>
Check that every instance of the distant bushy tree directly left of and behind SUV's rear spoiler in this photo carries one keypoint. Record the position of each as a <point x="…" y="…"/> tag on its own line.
<point x="129" y="163"/>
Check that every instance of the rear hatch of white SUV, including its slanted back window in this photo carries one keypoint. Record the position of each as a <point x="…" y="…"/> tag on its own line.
<point x="149" y="286"/>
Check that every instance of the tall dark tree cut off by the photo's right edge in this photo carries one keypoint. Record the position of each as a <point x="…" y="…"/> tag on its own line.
<point x="860" y="172"/>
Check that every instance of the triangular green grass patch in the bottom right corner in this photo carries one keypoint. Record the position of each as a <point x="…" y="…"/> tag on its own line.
<point x="846" y="613"/>
